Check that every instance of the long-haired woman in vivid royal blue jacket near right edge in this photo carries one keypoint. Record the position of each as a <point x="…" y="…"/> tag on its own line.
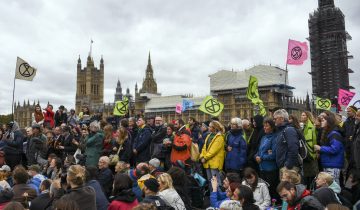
<point x="332" y="148"/>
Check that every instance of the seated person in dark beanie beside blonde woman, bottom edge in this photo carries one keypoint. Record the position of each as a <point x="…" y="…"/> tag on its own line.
<point x="150" y="190"/>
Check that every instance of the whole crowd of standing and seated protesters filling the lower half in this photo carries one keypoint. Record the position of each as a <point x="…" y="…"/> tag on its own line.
<point x="74" y="161"/>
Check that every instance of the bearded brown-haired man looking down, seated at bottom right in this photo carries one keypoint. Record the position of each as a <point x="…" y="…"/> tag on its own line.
<point x="297" y="196"/>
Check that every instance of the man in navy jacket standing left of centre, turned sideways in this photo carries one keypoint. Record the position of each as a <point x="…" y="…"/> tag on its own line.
<point x="141" y="146"/>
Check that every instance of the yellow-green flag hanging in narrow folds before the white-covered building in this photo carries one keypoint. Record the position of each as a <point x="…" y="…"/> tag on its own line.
<point x="252" y="94"/>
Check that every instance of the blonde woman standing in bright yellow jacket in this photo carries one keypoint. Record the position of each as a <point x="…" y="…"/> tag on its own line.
<point x="213" y="152"/>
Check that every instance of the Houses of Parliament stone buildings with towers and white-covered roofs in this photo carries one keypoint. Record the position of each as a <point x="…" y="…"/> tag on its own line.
<point x="228" y="86"/>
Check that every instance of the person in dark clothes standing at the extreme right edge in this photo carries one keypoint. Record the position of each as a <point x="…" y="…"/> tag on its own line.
<point x="349" y="128"/>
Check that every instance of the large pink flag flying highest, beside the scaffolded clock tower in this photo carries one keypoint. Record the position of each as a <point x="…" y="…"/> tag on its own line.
<point x="297" y="52"/>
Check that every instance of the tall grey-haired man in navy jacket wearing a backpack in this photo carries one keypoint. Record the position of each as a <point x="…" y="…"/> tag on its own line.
<point x="287" y="142"/>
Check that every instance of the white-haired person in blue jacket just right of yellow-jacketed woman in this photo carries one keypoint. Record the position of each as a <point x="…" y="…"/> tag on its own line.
<point x="236" y="147"/>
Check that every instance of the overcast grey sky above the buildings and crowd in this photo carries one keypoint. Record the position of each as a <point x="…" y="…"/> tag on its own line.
<point x="188" y="41"/>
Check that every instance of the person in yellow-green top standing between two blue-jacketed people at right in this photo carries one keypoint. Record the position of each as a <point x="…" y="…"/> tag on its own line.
<point x="311" y="168"/>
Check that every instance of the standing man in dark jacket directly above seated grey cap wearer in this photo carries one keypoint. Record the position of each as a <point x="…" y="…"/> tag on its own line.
<point x="157" y="137"/>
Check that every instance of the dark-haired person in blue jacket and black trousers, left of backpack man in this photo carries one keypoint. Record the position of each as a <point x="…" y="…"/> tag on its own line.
<point x="266" y="157"/>
